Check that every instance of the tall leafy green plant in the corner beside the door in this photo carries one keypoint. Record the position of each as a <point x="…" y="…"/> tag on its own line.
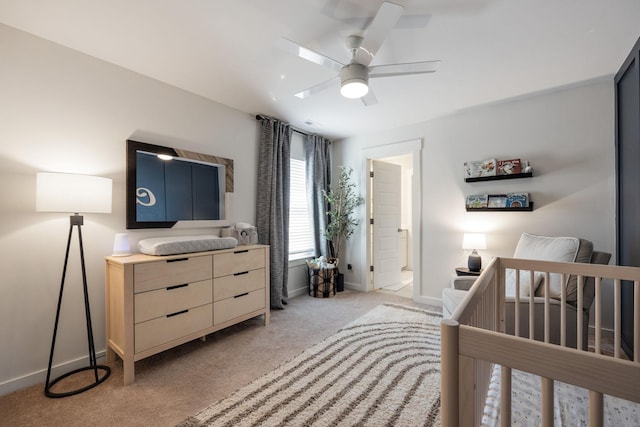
<point x="342" y="202"/>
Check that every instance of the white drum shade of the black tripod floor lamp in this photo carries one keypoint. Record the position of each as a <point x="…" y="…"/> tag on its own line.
<point x="65" y="192"/>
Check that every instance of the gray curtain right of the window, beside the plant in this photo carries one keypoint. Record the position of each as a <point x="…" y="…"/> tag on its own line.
<point x="317" y="153"/>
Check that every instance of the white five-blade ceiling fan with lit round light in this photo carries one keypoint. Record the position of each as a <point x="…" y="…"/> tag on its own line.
<point x="354" y="76"/>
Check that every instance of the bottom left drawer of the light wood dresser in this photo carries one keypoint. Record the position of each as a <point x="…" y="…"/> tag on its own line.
<point x="166" y="328"/>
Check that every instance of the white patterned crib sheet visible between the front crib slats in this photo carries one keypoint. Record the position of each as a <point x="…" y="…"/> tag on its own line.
<point x="571" y="404"/>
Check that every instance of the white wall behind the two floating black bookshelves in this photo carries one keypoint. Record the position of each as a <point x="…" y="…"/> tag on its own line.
<point x="566" y="134"/>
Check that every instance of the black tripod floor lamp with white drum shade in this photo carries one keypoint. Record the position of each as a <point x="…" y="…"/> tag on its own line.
<point x="60" y="192"/>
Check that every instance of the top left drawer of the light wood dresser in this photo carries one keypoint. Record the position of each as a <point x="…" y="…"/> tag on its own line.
<point x="157" y="275"/>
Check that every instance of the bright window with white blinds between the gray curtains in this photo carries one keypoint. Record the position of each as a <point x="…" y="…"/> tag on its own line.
<point x="300" y="227"/>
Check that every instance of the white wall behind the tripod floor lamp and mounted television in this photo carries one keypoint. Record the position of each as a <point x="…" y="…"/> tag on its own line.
<point x="64" y="111"/>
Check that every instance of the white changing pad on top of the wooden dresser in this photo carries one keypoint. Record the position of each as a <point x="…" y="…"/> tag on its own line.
<point x="172" y="245"/>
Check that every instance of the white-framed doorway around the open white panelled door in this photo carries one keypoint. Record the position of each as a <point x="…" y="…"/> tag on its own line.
<point x="407" y="156"/>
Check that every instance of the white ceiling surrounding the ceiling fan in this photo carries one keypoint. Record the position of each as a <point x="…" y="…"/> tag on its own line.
<point x="228" y="51"/>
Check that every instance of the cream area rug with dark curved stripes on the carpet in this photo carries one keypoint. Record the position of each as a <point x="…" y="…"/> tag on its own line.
<point x="383" y="369"/>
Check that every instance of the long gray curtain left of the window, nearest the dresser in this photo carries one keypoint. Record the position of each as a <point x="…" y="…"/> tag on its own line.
<point x="272" y="213"/>
